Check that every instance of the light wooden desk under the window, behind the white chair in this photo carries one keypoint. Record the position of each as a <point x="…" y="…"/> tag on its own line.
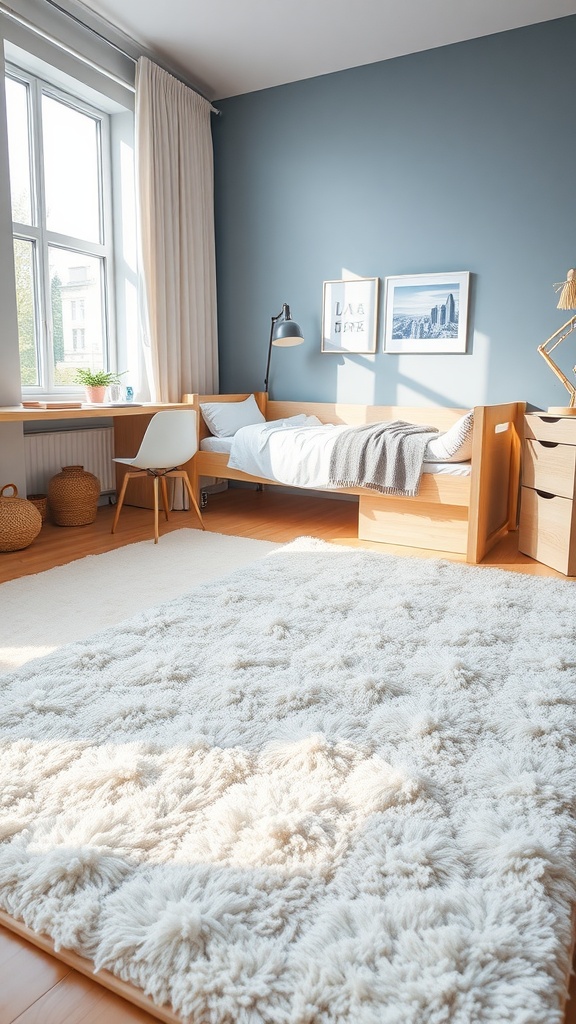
<point x="130" y="425"/>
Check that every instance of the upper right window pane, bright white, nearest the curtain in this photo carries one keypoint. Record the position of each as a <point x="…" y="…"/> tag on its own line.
<point x="71" y="143"/>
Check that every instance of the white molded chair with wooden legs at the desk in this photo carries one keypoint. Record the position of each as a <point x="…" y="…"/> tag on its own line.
<point x="171" y="440"/>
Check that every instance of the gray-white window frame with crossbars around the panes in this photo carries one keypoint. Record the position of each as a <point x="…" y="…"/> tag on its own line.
<point x="43" y="239"/>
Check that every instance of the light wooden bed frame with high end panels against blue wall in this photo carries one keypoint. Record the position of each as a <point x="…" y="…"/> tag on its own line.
<point x="463" y="515"/>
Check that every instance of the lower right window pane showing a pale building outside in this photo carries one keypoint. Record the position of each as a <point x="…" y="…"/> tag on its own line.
<point x="78" y="323"/>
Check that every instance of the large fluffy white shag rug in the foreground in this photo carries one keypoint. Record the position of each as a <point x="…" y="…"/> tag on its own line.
<point x="334" y="788"/>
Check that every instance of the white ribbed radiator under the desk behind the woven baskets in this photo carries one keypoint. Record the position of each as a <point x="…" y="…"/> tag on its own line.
<point x="47" y="454"/>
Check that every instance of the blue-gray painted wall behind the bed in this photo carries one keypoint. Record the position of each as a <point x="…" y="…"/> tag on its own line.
<point x="461" y="158"/>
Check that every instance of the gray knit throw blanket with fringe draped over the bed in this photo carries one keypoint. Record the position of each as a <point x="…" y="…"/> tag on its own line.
<point x="386" y="457"/>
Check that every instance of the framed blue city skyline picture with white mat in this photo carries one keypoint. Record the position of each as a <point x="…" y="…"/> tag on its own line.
<point x="427" y="313"/>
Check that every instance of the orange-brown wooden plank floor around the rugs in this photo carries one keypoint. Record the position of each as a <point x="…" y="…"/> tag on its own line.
<point x="36" y="989"/>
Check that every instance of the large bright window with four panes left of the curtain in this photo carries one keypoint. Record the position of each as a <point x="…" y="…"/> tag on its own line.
<point x="61" y="189"/>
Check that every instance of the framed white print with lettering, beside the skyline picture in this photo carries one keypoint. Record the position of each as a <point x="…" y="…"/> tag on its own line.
<point x="350" y="314"/>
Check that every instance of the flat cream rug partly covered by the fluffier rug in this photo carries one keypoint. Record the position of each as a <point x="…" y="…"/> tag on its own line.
<point x="42" y="613"/>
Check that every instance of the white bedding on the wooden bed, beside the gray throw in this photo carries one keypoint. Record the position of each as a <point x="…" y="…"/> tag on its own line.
<point x="295" y="452"/>
